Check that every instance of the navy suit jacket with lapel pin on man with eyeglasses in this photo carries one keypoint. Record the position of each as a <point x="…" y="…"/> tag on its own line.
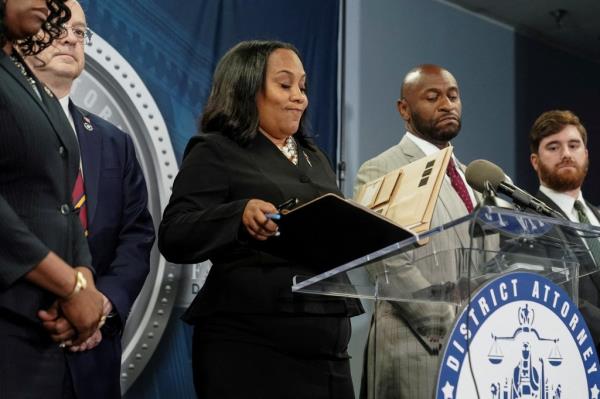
<point x="120" y="238"/>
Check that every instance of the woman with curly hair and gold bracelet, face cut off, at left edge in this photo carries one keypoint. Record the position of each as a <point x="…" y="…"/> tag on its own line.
<point x="43" y="252"/>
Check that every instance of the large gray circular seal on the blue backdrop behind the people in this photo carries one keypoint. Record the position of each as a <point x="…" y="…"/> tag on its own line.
<point x="109" y="87"/>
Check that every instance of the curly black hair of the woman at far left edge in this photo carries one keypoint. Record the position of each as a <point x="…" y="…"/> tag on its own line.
<point x="50" y="31"/>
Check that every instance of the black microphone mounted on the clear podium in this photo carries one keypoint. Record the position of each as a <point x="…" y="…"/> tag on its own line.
<point x="481" y="173"/>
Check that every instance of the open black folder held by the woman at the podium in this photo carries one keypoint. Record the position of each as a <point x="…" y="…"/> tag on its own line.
<point x="330" y="231"/>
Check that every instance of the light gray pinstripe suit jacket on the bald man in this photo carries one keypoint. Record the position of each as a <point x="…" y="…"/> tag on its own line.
<point x="408" y="336"/>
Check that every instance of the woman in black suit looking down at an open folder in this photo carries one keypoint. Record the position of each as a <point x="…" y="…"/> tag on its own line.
<point x="252" y="337"/>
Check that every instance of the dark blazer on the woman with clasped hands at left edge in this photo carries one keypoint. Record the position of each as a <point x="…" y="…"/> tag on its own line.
<point x="39" y="160"/>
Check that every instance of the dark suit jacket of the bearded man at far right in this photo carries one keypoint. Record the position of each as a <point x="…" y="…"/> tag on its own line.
<point x="589" y="286"/>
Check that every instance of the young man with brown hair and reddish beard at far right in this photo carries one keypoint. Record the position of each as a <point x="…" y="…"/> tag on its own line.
<point x="559" y="155"/>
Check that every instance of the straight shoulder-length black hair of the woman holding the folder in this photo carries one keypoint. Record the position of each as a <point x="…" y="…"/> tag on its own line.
<point x="240" y="75"/>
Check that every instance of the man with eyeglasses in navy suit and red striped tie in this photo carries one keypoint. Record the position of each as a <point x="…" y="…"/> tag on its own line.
<point x="111" y="198"/>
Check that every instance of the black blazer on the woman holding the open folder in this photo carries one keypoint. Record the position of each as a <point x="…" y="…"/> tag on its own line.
<point x="203" y="221"/>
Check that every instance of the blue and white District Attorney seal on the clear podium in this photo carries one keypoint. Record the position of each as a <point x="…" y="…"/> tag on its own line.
<point x="520" y="338"/>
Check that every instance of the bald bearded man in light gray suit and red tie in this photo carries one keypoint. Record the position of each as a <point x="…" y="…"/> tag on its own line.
<point x="409" y="336"/>
